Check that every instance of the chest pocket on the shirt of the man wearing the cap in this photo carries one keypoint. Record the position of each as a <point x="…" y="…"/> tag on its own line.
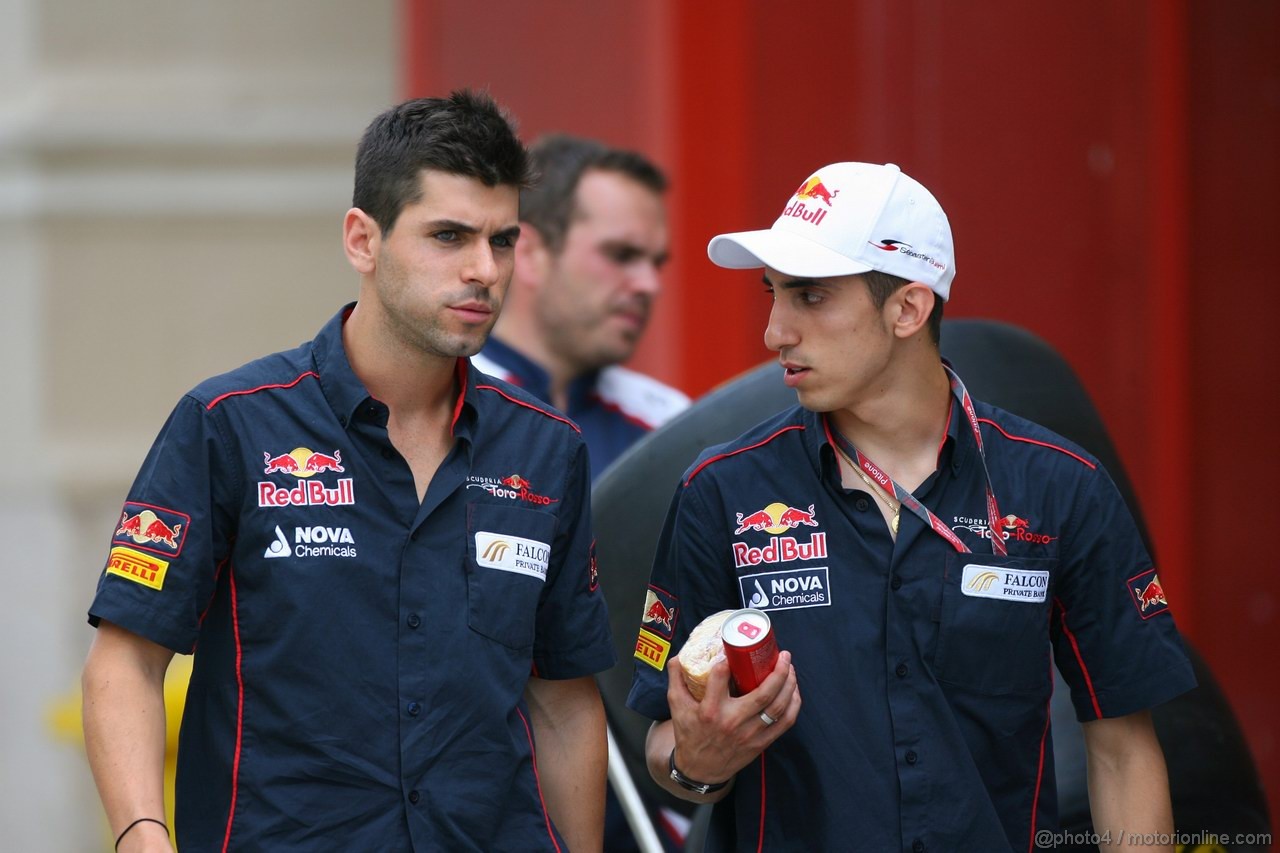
<point x="994" y="626"/>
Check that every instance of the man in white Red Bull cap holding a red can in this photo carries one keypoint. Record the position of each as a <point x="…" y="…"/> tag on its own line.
<point x="924" y="556"/>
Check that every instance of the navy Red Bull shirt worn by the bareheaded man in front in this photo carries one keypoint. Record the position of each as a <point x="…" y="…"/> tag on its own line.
<point x="360" y="656"/>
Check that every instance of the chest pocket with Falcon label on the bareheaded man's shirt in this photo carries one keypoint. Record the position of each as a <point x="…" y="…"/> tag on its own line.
<point x="509" y="556"/>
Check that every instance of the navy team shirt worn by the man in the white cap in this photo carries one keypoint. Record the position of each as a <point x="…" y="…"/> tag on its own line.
<point x="926" y="674"/>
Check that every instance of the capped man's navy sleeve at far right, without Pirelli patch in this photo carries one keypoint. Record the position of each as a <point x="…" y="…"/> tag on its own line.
<point x="1114" y="633"/>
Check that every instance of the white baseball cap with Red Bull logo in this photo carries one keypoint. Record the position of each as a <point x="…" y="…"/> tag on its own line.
<point x="852" y="218"/>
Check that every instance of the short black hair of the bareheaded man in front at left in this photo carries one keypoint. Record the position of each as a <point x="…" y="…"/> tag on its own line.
<point x="465" y="134"/>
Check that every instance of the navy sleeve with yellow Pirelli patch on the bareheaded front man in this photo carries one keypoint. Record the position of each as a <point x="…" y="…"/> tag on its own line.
<point x="173" y="533"/>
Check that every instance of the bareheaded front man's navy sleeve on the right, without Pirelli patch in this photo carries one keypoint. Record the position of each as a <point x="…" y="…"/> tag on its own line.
<point x="573" y="636"/>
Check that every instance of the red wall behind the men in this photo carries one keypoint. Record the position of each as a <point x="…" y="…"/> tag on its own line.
<point x="1110" y="170"/>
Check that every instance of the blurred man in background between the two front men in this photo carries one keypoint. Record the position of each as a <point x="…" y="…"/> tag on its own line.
<point x="593" y="243"/>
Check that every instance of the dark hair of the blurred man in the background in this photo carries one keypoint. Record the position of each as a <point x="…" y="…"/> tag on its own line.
<point x="561" y="162"/>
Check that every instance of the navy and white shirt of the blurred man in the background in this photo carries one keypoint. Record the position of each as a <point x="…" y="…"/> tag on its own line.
<point x="615" y="407"/>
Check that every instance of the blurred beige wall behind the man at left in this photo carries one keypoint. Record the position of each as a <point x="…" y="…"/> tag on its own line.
<point x="173" y="176"/>
